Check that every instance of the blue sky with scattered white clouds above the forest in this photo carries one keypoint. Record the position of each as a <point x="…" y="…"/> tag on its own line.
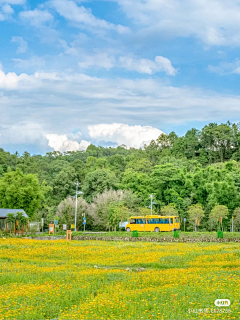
<point x="112" y="72"/>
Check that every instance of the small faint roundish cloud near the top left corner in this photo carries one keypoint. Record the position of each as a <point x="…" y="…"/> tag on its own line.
<point x="36" y="17"/>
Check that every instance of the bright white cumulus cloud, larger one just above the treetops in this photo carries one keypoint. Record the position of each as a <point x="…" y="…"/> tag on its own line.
<point x="131" y="136"/>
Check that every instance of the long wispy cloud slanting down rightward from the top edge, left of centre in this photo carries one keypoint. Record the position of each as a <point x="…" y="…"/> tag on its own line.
<point x="79" y="14"/>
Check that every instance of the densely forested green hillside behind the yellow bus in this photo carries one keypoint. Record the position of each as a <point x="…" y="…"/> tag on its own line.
<point x="202" y="167"/>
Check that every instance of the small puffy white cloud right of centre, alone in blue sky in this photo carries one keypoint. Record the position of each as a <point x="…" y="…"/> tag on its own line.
<point x="148" y="66"/>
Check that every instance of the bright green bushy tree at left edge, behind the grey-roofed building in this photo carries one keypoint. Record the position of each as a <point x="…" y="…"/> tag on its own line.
<point x="20" y="191"/>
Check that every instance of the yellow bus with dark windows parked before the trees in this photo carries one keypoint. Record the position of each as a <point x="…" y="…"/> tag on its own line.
<point x="153" y="223"/>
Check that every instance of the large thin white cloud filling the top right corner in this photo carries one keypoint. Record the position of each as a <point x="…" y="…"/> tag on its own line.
<point x="215" y="22"/>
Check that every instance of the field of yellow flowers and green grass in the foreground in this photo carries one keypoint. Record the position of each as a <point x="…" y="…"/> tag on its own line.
<point x="117" y="280"/>
